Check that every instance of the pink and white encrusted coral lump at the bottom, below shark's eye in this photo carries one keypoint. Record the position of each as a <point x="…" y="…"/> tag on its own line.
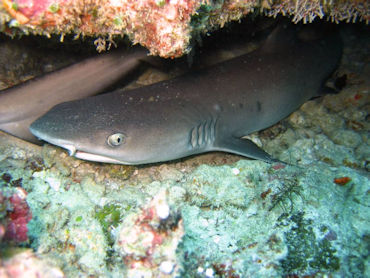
<point x="148" y="240"/>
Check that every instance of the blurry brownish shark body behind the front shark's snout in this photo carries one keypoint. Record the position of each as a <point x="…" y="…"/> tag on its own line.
<point x="24" y="103"/>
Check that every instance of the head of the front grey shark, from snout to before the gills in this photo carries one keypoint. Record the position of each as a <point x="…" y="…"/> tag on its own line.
<point x="91" y="131"/>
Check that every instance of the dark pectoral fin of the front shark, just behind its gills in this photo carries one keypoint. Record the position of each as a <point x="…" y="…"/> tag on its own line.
<point x="244" y="147"/>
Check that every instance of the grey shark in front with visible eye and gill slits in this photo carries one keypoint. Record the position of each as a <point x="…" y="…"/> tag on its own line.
<point x="208" y="110"/>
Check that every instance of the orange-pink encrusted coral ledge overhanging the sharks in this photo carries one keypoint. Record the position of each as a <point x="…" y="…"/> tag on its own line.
<point x="164" y="27"/>
